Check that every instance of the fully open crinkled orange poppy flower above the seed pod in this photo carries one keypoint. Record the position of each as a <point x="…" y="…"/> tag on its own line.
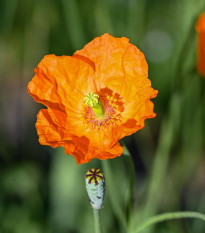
<point x="93" y="98"/>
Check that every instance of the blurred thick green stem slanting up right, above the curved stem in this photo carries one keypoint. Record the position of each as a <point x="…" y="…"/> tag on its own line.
<point x="167" y="136"/>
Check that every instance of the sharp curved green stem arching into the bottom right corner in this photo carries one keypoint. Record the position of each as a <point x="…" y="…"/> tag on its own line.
<point x="169" y="216"/>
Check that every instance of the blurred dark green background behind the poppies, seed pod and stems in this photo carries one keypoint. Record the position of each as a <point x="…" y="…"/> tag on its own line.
<point x="42" y="189"/>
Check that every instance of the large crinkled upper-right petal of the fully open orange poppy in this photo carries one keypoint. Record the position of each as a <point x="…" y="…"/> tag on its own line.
<point x="122" y="67"/>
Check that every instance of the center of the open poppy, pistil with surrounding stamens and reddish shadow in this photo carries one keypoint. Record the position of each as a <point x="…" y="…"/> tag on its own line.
<point x="103" y="110"/>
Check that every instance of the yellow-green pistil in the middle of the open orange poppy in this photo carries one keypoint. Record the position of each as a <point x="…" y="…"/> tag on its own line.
<point x="92" y="100"/>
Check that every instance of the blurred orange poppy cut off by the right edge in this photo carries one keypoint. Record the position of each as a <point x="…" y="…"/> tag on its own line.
<point x="200" y="28"/>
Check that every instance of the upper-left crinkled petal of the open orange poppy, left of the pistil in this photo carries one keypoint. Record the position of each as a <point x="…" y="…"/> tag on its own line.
<point x="61" y="82"/>
